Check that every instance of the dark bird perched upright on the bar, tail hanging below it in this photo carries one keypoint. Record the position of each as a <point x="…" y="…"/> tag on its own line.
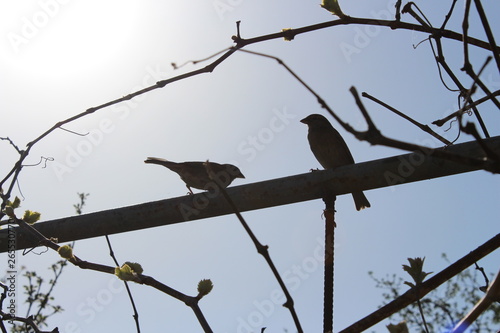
<point x="330" y="149"/>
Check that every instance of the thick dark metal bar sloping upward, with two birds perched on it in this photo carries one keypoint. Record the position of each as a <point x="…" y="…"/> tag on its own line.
<point x="380" y="173"/>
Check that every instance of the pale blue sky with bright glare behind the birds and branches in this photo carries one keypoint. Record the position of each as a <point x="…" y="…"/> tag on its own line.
<point x="61" y="57"/>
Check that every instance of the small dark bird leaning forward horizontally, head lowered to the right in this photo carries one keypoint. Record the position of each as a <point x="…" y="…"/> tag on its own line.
<point x="195" y="175"/>
